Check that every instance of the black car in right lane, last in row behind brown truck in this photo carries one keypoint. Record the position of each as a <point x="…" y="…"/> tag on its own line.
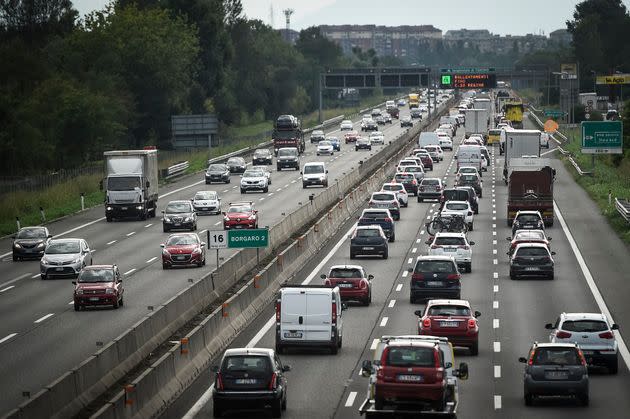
<point x="533" y="260"/>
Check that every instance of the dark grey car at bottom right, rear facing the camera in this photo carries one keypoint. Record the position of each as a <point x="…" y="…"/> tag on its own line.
<point x="555" y="369"/>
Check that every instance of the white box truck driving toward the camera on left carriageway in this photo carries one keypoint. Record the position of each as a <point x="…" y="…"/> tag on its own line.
<point x="131" y="185"/>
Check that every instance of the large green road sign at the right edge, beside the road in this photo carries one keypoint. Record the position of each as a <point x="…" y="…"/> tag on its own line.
<point x="602" y="137"/>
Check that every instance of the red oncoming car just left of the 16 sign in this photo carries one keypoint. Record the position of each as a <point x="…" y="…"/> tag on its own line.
<point x="183" y="249"/>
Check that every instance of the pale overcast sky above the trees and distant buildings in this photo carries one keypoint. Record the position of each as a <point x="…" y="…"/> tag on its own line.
<point x="499" y="17"/>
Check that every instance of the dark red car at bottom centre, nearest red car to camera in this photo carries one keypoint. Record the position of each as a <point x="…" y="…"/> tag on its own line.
<point x="411" y="372"/>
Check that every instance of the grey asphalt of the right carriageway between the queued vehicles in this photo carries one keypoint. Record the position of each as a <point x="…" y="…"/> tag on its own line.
<point x="513" y="312"/>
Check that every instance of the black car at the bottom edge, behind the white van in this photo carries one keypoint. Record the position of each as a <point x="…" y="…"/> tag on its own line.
<point x="250" y="378"/>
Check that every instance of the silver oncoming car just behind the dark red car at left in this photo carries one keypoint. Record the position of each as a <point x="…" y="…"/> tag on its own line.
<point x="65" y="258"/>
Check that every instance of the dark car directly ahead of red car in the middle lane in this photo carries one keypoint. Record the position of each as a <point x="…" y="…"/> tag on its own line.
<point x="434" y="277"/>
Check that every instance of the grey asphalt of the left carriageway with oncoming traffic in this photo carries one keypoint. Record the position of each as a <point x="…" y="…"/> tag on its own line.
<point x="41" y="336"/>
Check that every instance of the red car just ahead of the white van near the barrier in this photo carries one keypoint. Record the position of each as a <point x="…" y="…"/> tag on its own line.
<point x="354" y="284"/>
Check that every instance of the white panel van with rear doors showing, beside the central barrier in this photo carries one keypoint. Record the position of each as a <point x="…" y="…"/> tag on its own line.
<point x="309" y="316"/>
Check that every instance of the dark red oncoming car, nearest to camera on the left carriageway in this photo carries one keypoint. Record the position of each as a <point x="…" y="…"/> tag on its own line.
<point x="98" y="285"/>
